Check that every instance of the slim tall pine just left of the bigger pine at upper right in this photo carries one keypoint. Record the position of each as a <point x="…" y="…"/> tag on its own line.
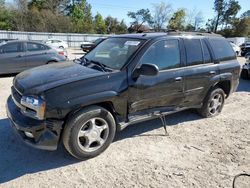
<point x="219" y="7"/>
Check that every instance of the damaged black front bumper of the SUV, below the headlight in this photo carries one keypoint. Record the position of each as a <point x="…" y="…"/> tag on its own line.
<point x="45" y="133"/>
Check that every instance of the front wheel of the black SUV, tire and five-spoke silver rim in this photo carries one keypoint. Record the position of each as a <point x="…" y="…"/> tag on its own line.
<point x="89" y="132"/>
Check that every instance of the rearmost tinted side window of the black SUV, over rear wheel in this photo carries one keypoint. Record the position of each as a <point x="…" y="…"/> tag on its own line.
<point x="222" y="49"/>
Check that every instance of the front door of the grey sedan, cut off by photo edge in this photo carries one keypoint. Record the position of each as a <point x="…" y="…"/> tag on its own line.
<point x="12" y="58"/>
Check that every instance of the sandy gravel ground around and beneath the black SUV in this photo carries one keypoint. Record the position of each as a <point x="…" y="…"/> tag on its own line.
<point x="197" y="153"/>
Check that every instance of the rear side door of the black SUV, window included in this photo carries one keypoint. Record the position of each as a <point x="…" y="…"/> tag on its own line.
<point x="199" y="71"/>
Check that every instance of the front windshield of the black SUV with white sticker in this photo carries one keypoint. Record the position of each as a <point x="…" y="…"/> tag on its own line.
<point x="114" y="52"/>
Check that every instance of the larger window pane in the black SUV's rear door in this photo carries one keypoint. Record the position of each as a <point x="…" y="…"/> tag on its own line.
<point x="194" y="51"/>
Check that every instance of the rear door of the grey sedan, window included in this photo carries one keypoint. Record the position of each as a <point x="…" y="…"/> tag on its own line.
<point x="36" y="54"/>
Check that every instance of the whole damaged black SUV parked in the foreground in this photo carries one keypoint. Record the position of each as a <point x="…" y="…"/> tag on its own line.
<point x="126" y="79"/>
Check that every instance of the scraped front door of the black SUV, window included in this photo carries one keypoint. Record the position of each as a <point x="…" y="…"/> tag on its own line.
<point x="164" y="90"/>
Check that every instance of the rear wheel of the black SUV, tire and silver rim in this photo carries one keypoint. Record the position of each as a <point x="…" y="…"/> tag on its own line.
<point x="213" y="103"/>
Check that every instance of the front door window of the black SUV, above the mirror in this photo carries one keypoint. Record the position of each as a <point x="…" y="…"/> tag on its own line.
<point x="165" y="54"/>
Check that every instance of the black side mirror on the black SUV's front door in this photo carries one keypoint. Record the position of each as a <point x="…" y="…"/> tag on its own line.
<point x="146" y="70"/>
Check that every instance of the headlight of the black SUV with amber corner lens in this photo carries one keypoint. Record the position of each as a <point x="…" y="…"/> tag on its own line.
<point x="34" y="107"/>
